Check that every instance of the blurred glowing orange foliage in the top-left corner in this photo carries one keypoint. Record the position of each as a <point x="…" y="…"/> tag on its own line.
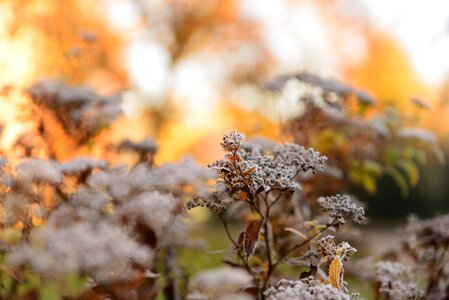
<point x="64" y="40"/>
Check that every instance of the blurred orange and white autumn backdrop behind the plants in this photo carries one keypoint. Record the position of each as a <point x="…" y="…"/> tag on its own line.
<point x="191" y="70"/>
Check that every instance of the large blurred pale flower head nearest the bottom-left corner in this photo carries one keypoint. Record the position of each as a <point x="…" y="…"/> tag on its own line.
<point x="103" y="251"/>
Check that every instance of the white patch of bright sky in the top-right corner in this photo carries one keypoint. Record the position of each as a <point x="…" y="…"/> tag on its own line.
<point x="423" y="29"/>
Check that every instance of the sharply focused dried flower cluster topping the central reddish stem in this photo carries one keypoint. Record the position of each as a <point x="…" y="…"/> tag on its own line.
<point x="252" y="170"/>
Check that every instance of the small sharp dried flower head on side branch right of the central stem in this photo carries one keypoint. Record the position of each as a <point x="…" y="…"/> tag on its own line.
<point x="340" y="207"/>
